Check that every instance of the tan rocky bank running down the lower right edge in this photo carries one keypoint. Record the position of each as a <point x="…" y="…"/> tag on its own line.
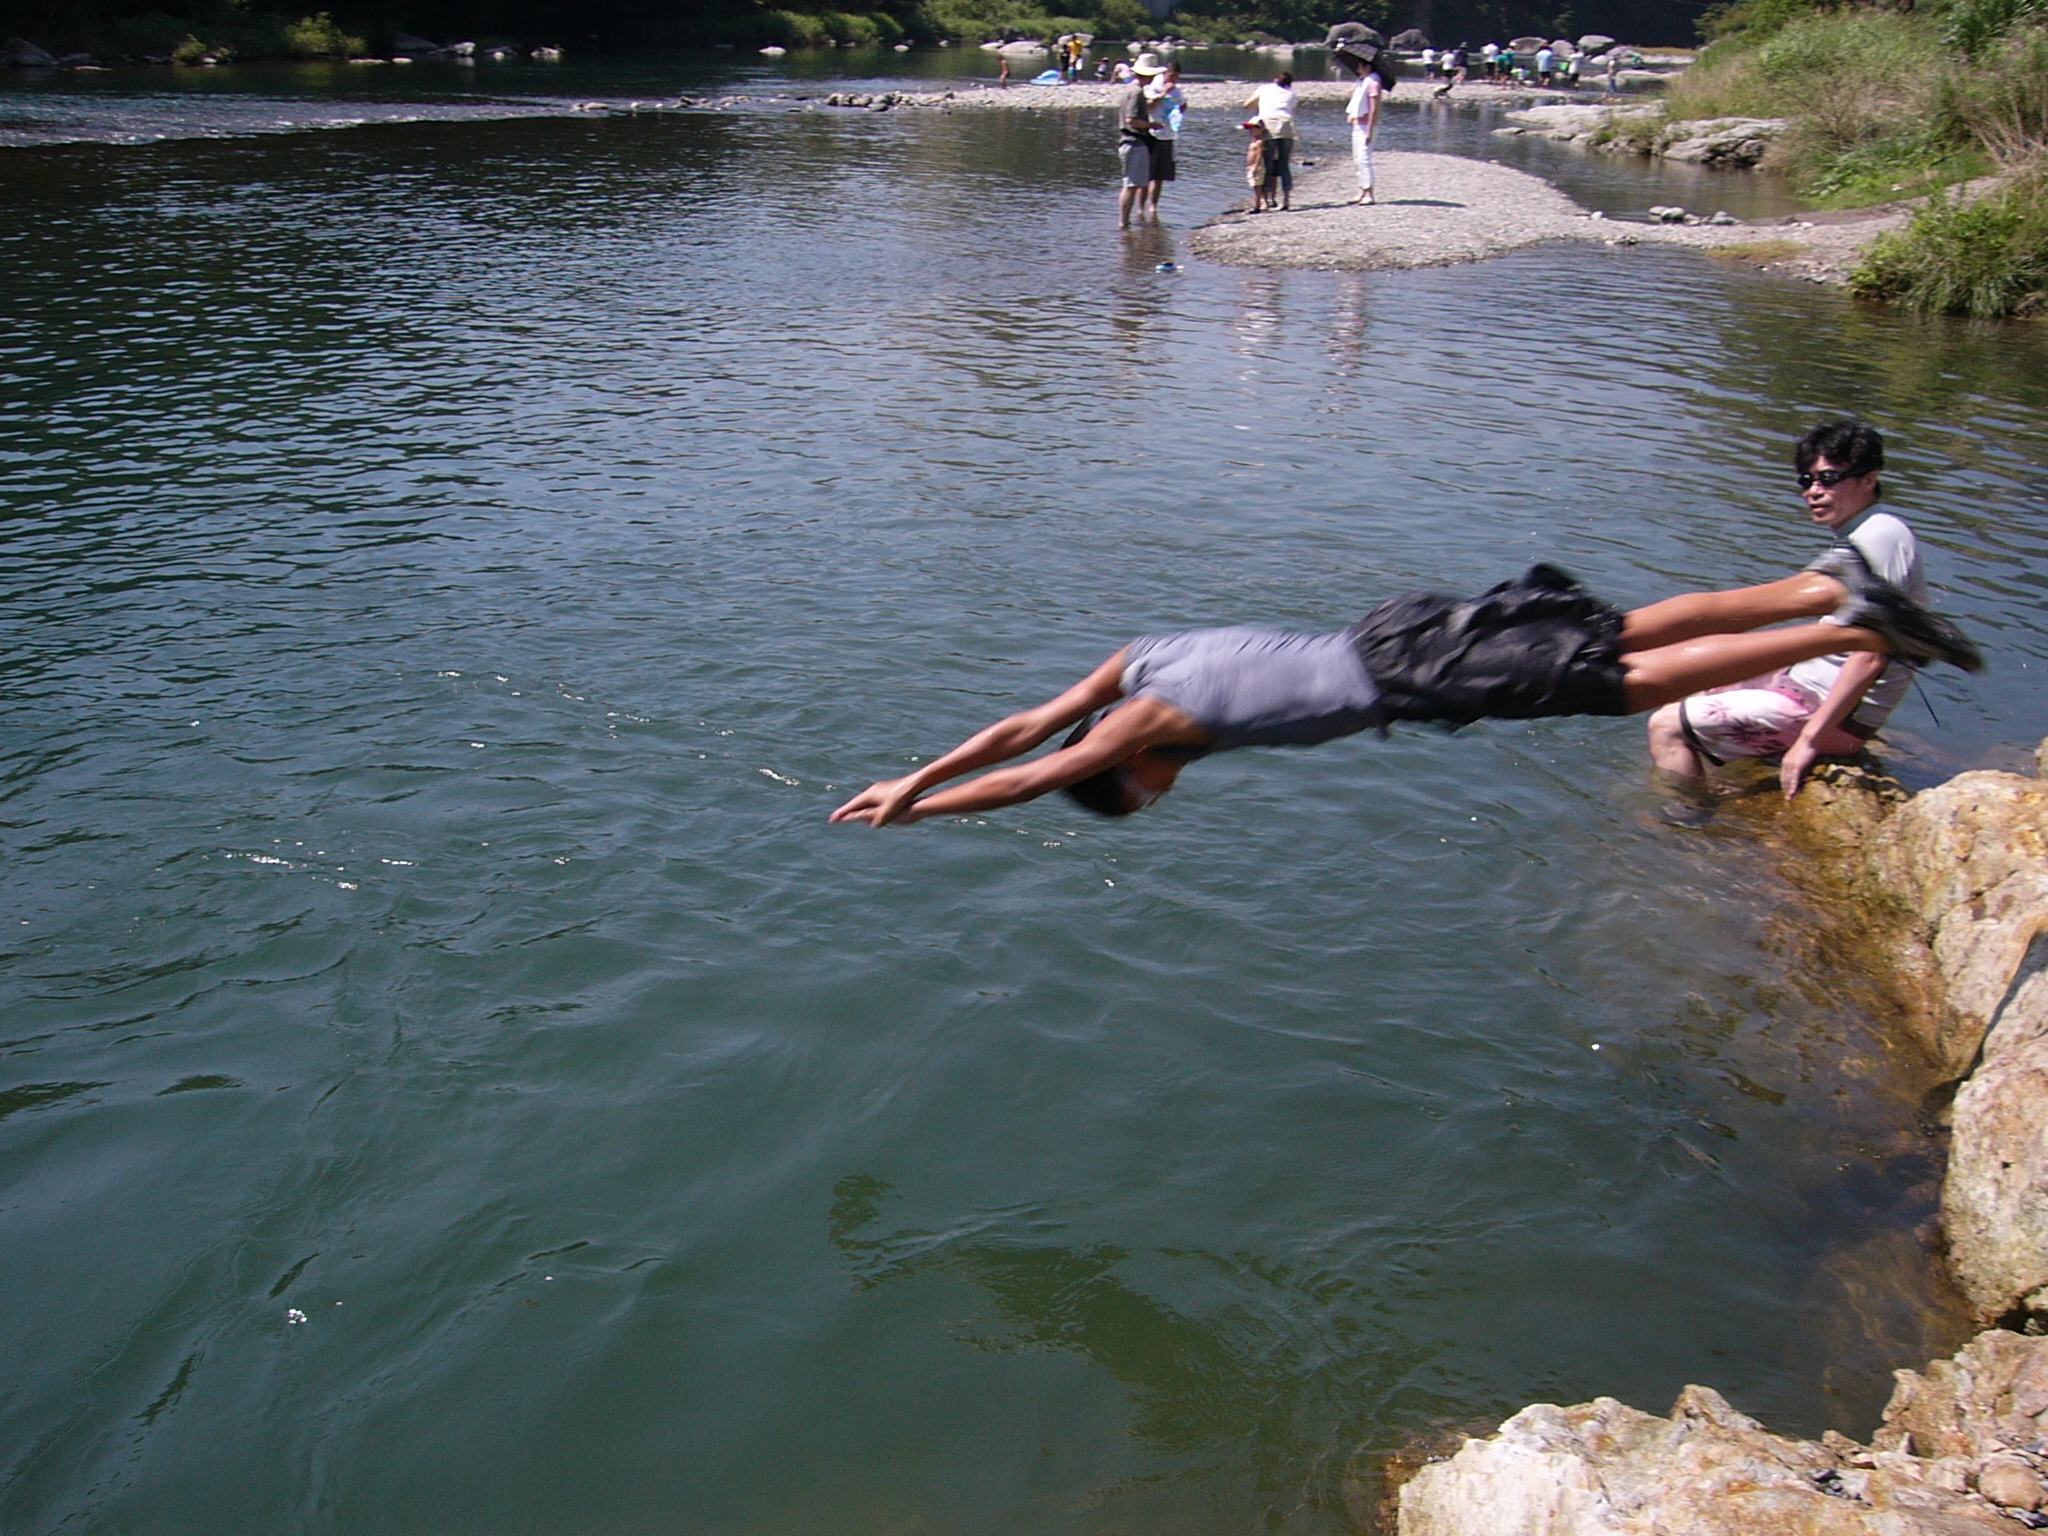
<point x="1949" y="894"/>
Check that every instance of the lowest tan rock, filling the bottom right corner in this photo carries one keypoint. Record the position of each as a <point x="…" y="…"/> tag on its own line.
<point x="1959" y="1455"/>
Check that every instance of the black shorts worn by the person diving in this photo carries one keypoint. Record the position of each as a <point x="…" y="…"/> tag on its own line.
<point x="1531" y="648"/>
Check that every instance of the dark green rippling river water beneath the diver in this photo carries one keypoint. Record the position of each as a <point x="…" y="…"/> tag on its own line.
<point x="456" y="566"/>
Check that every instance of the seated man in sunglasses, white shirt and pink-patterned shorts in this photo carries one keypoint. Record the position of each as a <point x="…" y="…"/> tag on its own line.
<point x="1828" y="706"/>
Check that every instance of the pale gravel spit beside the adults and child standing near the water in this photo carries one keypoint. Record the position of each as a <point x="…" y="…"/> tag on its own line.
<point x="1445" y="210"/>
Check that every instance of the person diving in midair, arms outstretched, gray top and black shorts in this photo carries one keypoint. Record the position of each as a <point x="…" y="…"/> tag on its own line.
<point x="1525" y="650"/>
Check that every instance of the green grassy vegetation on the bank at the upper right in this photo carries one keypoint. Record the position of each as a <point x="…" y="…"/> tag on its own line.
<point x="1893" y="103"/>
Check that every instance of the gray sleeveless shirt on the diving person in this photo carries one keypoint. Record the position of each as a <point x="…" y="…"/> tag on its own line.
<point x="1256" y="687"/>
